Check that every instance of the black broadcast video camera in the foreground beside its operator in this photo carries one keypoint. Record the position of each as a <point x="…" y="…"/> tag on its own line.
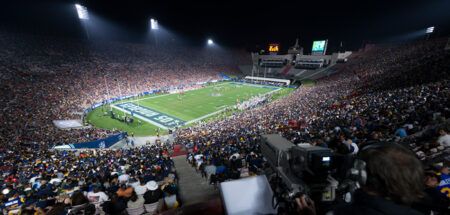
<point x="299" y="169"/>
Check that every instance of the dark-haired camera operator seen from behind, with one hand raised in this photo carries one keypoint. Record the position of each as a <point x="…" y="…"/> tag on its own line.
<point x="392" y="181"/>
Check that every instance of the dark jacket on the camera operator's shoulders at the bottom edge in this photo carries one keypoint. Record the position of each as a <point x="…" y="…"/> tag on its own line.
<point x="365" y="204"/>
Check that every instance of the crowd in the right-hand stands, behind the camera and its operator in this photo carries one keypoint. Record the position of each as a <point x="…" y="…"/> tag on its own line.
<point x="395" y="93"/>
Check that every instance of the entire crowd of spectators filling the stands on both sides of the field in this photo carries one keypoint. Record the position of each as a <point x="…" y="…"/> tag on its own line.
<point x="395" y="93"/>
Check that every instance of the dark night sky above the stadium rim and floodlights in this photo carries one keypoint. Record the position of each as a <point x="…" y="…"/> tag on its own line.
<point x="241" y="24"/>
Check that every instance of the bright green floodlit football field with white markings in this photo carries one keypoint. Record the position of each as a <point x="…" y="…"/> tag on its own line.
<point x="201" y="104"/>
